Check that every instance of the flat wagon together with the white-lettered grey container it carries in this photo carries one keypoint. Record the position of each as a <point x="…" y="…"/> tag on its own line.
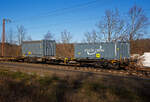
<point x="102" y="54"/>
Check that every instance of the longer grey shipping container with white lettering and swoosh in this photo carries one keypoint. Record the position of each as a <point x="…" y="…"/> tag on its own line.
<point x="118" y="50"/>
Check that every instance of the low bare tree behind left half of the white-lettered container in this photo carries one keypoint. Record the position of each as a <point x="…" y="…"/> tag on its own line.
<point x="90" y="37"/>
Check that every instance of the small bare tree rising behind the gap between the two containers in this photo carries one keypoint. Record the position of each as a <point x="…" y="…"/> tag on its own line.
<point x="66" y="37"/>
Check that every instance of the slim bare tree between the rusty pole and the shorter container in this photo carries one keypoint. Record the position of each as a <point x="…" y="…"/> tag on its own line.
<point x="21" y="33"/>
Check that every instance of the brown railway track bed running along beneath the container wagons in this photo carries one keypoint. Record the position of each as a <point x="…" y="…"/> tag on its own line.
<point x="69" y="68"/>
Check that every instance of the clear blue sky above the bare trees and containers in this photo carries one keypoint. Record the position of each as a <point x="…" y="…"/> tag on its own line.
<point x="38" y="16"/>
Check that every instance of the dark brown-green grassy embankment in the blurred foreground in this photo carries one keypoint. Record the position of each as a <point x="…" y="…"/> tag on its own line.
<point x="21" y="87"/>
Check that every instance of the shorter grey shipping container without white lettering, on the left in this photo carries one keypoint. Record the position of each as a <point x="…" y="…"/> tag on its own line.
<point x="41" y="48"/>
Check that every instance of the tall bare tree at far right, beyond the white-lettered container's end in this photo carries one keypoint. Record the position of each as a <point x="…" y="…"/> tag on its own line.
<point x="137" y="23"/>
